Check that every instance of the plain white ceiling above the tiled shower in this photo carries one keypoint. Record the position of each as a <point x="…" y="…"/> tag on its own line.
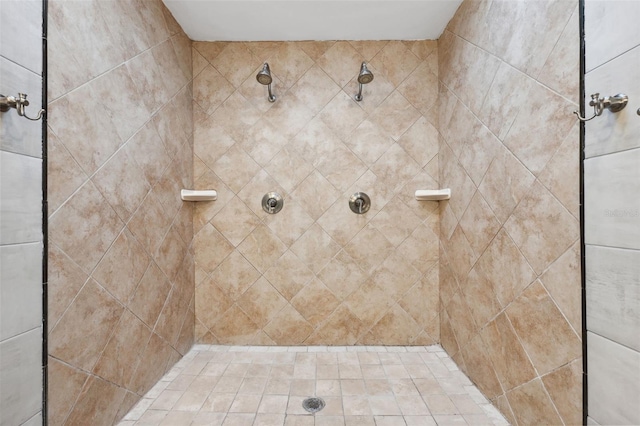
<point x="263" y="20"/>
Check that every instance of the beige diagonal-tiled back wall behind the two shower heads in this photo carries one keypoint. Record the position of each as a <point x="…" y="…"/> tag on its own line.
<point x="316" y="273"/>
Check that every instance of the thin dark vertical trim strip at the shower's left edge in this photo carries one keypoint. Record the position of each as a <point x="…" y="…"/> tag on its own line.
<point x="45" y="222"/>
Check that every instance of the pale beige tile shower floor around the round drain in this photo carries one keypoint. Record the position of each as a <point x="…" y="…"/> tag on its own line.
<point x="361" y="385"/>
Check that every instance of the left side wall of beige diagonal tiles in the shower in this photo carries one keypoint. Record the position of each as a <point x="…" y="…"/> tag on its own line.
<point x="120" y="258"/>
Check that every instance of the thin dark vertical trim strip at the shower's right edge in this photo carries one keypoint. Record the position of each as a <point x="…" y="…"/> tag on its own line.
<point x="583" y="280"/>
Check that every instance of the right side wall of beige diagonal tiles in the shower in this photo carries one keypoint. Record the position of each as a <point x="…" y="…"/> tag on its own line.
<point x="509" y="254"/>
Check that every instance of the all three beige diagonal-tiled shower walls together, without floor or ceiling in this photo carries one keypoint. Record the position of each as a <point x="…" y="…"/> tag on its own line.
<point x="137" y="276"/>
